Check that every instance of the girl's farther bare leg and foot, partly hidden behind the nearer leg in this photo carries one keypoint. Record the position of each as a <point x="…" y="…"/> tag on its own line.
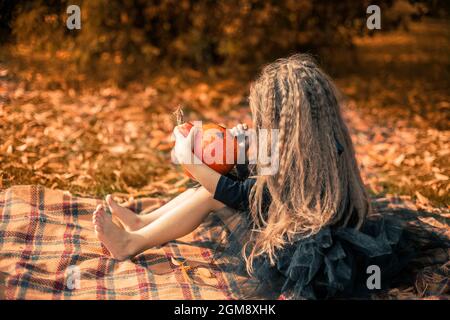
<point x="133" y="221"/>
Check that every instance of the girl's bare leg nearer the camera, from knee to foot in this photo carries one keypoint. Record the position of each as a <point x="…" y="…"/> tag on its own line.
<point x="177" y="222"/>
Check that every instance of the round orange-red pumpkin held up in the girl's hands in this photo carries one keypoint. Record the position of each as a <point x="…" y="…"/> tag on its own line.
<point x="214" y="145"/>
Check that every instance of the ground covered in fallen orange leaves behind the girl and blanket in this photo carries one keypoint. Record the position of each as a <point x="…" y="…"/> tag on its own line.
<point x="99" y="140"/>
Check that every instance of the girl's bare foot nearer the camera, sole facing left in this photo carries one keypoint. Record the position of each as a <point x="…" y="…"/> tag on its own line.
<point x="115" y="239"/>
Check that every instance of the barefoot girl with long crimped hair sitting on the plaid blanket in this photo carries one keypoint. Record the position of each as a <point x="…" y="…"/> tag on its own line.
<point x="305" y="220"/>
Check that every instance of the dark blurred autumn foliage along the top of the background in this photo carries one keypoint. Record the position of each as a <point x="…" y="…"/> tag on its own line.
<point x="122" y="40"/>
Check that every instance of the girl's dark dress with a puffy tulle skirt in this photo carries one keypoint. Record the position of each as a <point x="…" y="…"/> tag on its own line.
<point x="334" y="263"/>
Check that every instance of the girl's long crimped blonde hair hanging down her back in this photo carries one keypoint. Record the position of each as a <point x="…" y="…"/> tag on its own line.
<point x="316" y="184"/>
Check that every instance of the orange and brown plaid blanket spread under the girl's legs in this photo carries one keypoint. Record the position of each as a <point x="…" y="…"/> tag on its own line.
<point x="48" y="250"/>
